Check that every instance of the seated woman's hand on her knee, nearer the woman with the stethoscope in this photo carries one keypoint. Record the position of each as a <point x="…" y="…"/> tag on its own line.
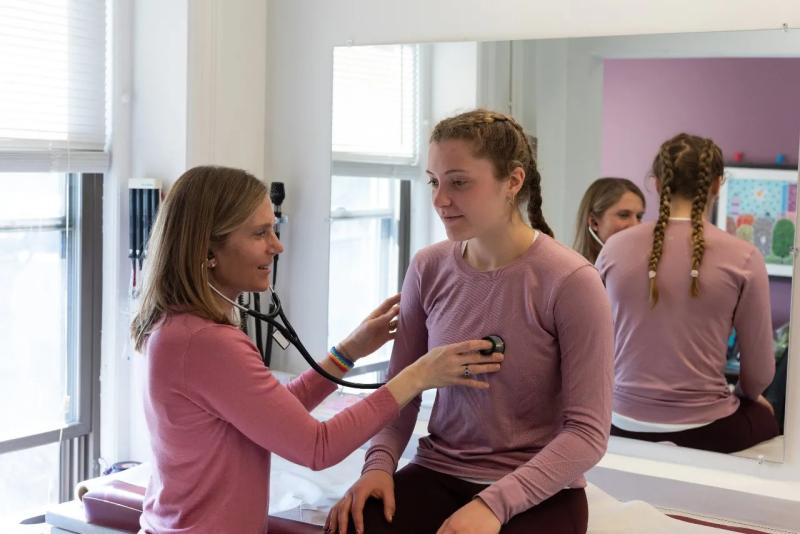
<point x="375" y="483"/>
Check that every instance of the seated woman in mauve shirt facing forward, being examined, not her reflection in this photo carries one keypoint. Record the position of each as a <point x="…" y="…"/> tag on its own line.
<point x="510" y="459"/>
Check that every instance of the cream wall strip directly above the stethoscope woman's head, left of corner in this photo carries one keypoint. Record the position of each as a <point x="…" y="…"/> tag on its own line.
<point x="226" y="84"/>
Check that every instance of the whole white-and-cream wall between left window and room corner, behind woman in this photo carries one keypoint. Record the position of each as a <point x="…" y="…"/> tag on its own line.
<point x="190" y="85"/>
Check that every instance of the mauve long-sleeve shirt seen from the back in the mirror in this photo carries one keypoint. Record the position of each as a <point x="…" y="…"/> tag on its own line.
<point x="670" y="359"/>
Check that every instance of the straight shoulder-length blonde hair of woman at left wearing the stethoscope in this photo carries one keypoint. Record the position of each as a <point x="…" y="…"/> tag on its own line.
<point x="203" y="207"/>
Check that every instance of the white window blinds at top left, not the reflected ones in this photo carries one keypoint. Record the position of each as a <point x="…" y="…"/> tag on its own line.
<point x="53" y="85"/>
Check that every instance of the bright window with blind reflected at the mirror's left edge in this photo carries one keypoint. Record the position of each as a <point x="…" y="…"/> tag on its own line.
<point x="376" y="135"/>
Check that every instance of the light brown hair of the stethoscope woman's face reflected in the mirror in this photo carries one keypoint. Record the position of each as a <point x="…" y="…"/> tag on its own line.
<point x="601" y="195"/>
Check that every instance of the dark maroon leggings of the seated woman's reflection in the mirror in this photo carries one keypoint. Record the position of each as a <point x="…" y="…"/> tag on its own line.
<point x="749" y="425"/>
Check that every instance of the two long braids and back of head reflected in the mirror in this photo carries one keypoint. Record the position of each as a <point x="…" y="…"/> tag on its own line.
<point x="685" y="166"/>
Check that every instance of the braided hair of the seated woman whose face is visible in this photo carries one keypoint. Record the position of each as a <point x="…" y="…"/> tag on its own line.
<point x="500" y="139"/>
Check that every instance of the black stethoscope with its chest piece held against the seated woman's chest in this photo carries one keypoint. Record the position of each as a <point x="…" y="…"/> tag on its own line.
<point x="286" y="330"/>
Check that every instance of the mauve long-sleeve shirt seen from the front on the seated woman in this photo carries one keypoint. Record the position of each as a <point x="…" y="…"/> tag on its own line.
<point x="545" y="420"/>
